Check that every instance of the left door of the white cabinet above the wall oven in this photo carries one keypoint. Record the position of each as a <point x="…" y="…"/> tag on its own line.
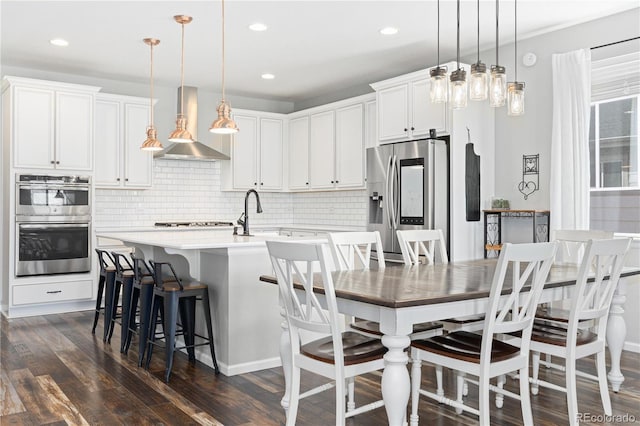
<point x="34" y="127"/>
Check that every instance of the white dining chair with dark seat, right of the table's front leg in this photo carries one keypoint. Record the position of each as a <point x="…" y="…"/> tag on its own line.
<point x="511" y="308"/>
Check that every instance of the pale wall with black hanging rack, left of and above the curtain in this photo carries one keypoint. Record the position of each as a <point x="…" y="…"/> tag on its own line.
<point x="531" y="133"/>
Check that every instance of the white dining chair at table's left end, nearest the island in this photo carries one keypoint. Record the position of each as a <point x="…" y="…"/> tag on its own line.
<point x="342" y="355"/>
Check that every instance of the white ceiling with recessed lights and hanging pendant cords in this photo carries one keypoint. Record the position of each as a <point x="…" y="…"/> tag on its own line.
<point x="312" y="47"/>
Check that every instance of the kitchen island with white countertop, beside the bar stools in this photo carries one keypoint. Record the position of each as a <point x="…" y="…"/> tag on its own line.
<point x="245" y="312"/>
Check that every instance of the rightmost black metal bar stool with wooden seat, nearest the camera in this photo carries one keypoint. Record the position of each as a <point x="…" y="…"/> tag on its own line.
<point x="174" y="295"/>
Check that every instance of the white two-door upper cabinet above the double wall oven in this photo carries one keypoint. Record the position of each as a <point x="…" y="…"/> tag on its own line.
<point x="51" y="125"/>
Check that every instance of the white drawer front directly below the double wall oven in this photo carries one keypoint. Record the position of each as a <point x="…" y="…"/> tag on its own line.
<point x="52" y="292"/>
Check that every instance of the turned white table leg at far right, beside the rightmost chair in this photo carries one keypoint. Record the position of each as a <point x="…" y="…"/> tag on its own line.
<point x="616" y="333"/>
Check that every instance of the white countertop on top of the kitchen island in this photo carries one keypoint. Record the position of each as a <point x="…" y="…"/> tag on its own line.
<point x="190" y="239"/>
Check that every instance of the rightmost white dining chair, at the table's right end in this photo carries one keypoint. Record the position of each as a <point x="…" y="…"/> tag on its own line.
<point x="591" y="301"/>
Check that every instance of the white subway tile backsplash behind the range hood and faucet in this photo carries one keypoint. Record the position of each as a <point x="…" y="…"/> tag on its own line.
<point x="191" y="190"/>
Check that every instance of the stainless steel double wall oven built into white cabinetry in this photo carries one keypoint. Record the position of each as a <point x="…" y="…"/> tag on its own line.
<point x="53" y="224"/>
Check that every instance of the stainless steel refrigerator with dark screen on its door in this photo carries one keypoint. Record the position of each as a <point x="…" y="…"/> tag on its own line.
<point x="408" y="188"/>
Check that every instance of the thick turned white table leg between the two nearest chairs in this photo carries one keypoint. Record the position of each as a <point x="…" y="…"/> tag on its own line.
<point x="395" y="379"/>
